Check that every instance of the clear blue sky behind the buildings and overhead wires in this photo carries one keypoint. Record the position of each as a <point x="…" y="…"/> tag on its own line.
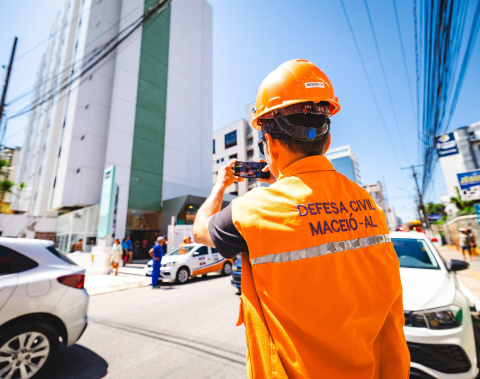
<point x="252" y="38"/>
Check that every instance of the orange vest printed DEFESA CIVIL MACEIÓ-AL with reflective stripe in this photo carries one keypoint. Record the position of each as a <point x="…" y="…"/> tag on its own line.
<point x="321" y="291"/>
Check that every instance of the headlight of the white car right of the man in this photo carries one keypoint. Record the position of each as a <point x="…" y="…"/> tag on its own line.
<point x="438" y="318"/>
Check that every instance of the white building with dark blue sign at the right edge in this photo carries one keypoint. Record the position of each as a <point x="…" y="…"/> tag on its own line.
<point x="459" y="152"/>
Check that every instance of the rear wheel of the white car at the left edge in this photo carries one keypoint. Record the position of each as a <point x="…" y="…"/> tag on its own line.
<point x="26" y="351"/>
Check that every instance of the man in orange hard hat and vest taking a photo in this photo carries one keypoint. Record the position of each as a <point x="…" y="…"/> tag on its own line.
<point x="321" y="291"/>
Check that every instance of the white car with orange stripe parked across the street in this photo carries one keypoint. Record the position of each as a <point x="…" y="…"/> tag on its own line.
<point x="191" y="260"/>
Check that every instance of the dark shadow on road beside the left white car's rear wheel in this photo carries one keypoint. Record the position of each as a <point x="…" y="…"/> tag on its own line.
<point x="78" y="362"/>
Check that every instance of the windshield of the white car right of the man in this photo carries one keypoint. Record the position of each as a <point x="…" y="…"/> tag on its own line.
<point x="414" y="253"/>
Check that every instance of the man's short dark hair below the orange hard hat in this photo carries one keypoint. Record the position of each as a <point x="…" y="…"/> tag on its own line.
<point x="308" y="120"/>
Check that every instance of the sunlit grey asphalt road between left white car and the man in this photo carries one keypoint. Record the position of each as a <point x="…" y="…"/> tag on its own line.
<point x="179" y="331"/>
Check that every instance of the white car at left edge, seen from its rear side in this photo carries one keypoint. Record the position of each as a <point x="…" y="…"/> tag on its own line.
<point x="42" y="302"/>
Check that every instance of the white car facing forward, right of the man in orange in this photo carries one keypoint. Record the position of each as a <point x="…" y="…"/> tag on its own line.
<point x="438" y="325"/>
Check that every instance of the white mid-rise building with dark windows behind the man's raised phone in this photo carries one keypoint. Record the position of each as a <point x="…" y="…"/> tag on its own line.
<point x="238" y="140"/>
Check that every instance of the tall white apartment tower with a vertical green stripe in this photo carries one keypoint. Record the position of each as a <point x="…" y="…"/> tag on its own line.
<point x="147" y="110"/>
